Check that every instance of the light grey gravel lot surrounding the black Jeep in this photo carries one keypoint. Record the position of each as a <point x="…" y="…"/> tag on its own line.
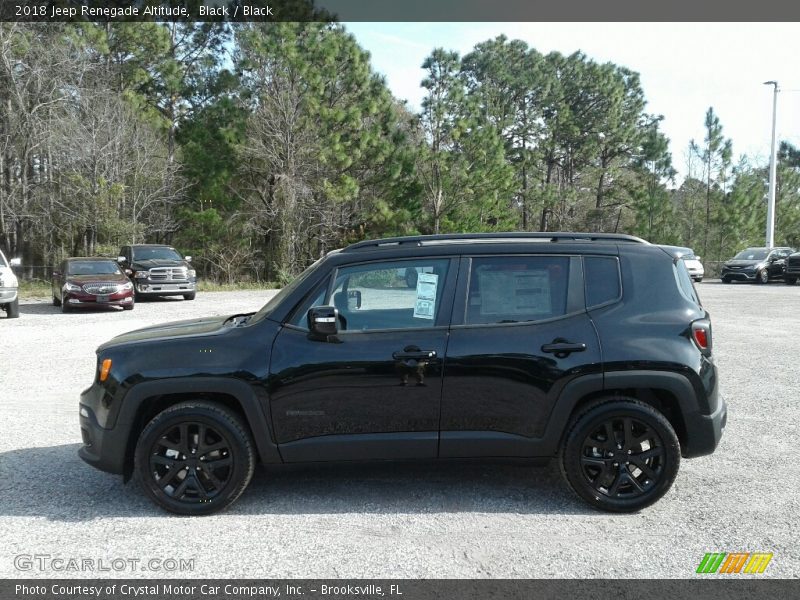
<point x="420" y="521"/>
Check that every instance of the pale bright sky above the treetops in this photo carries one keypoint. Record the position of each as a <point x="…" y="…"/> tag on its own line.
<point x="685" y="68"/>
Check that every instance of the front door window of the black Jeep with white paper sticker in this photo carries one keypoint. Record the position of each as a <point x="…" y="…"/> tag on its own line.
<point x="389" y="295"/>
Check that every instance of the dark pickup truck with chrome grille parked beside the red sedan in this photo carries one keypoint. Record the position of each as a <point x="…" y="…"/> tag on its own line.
<point x="158" y="270"/>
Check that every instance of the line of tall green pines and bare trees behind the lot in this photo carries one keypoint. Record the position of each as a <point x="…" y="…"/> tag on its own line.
<point x="257" y="148"/>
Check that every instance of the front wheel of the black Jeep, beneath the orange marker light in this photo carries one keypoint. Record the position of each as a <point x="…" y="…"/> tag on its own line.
<point x="185" y="439"/>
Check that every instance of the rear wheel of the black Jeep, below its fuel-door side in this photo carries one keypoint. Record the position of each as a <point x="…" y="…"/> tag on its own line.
<point x="598" y="475"/>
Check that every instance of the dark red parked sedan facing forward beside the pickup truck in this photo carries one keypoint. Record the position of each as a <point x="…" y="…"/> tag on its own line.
<point x="88" y="282"/>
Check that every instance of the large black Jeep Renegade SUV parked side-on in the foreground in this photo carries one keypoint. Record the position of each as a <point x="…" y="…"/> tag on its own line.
<point x="587" y="347"/>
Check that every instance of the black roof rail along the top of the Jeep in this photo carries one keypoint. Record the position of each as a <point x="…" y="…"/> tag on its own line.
<point x="545" y="236"/>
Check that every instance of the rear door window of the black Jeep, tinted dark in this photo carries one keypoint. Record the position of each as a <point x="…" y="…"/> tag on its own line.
<point x="511" y="289"/>
